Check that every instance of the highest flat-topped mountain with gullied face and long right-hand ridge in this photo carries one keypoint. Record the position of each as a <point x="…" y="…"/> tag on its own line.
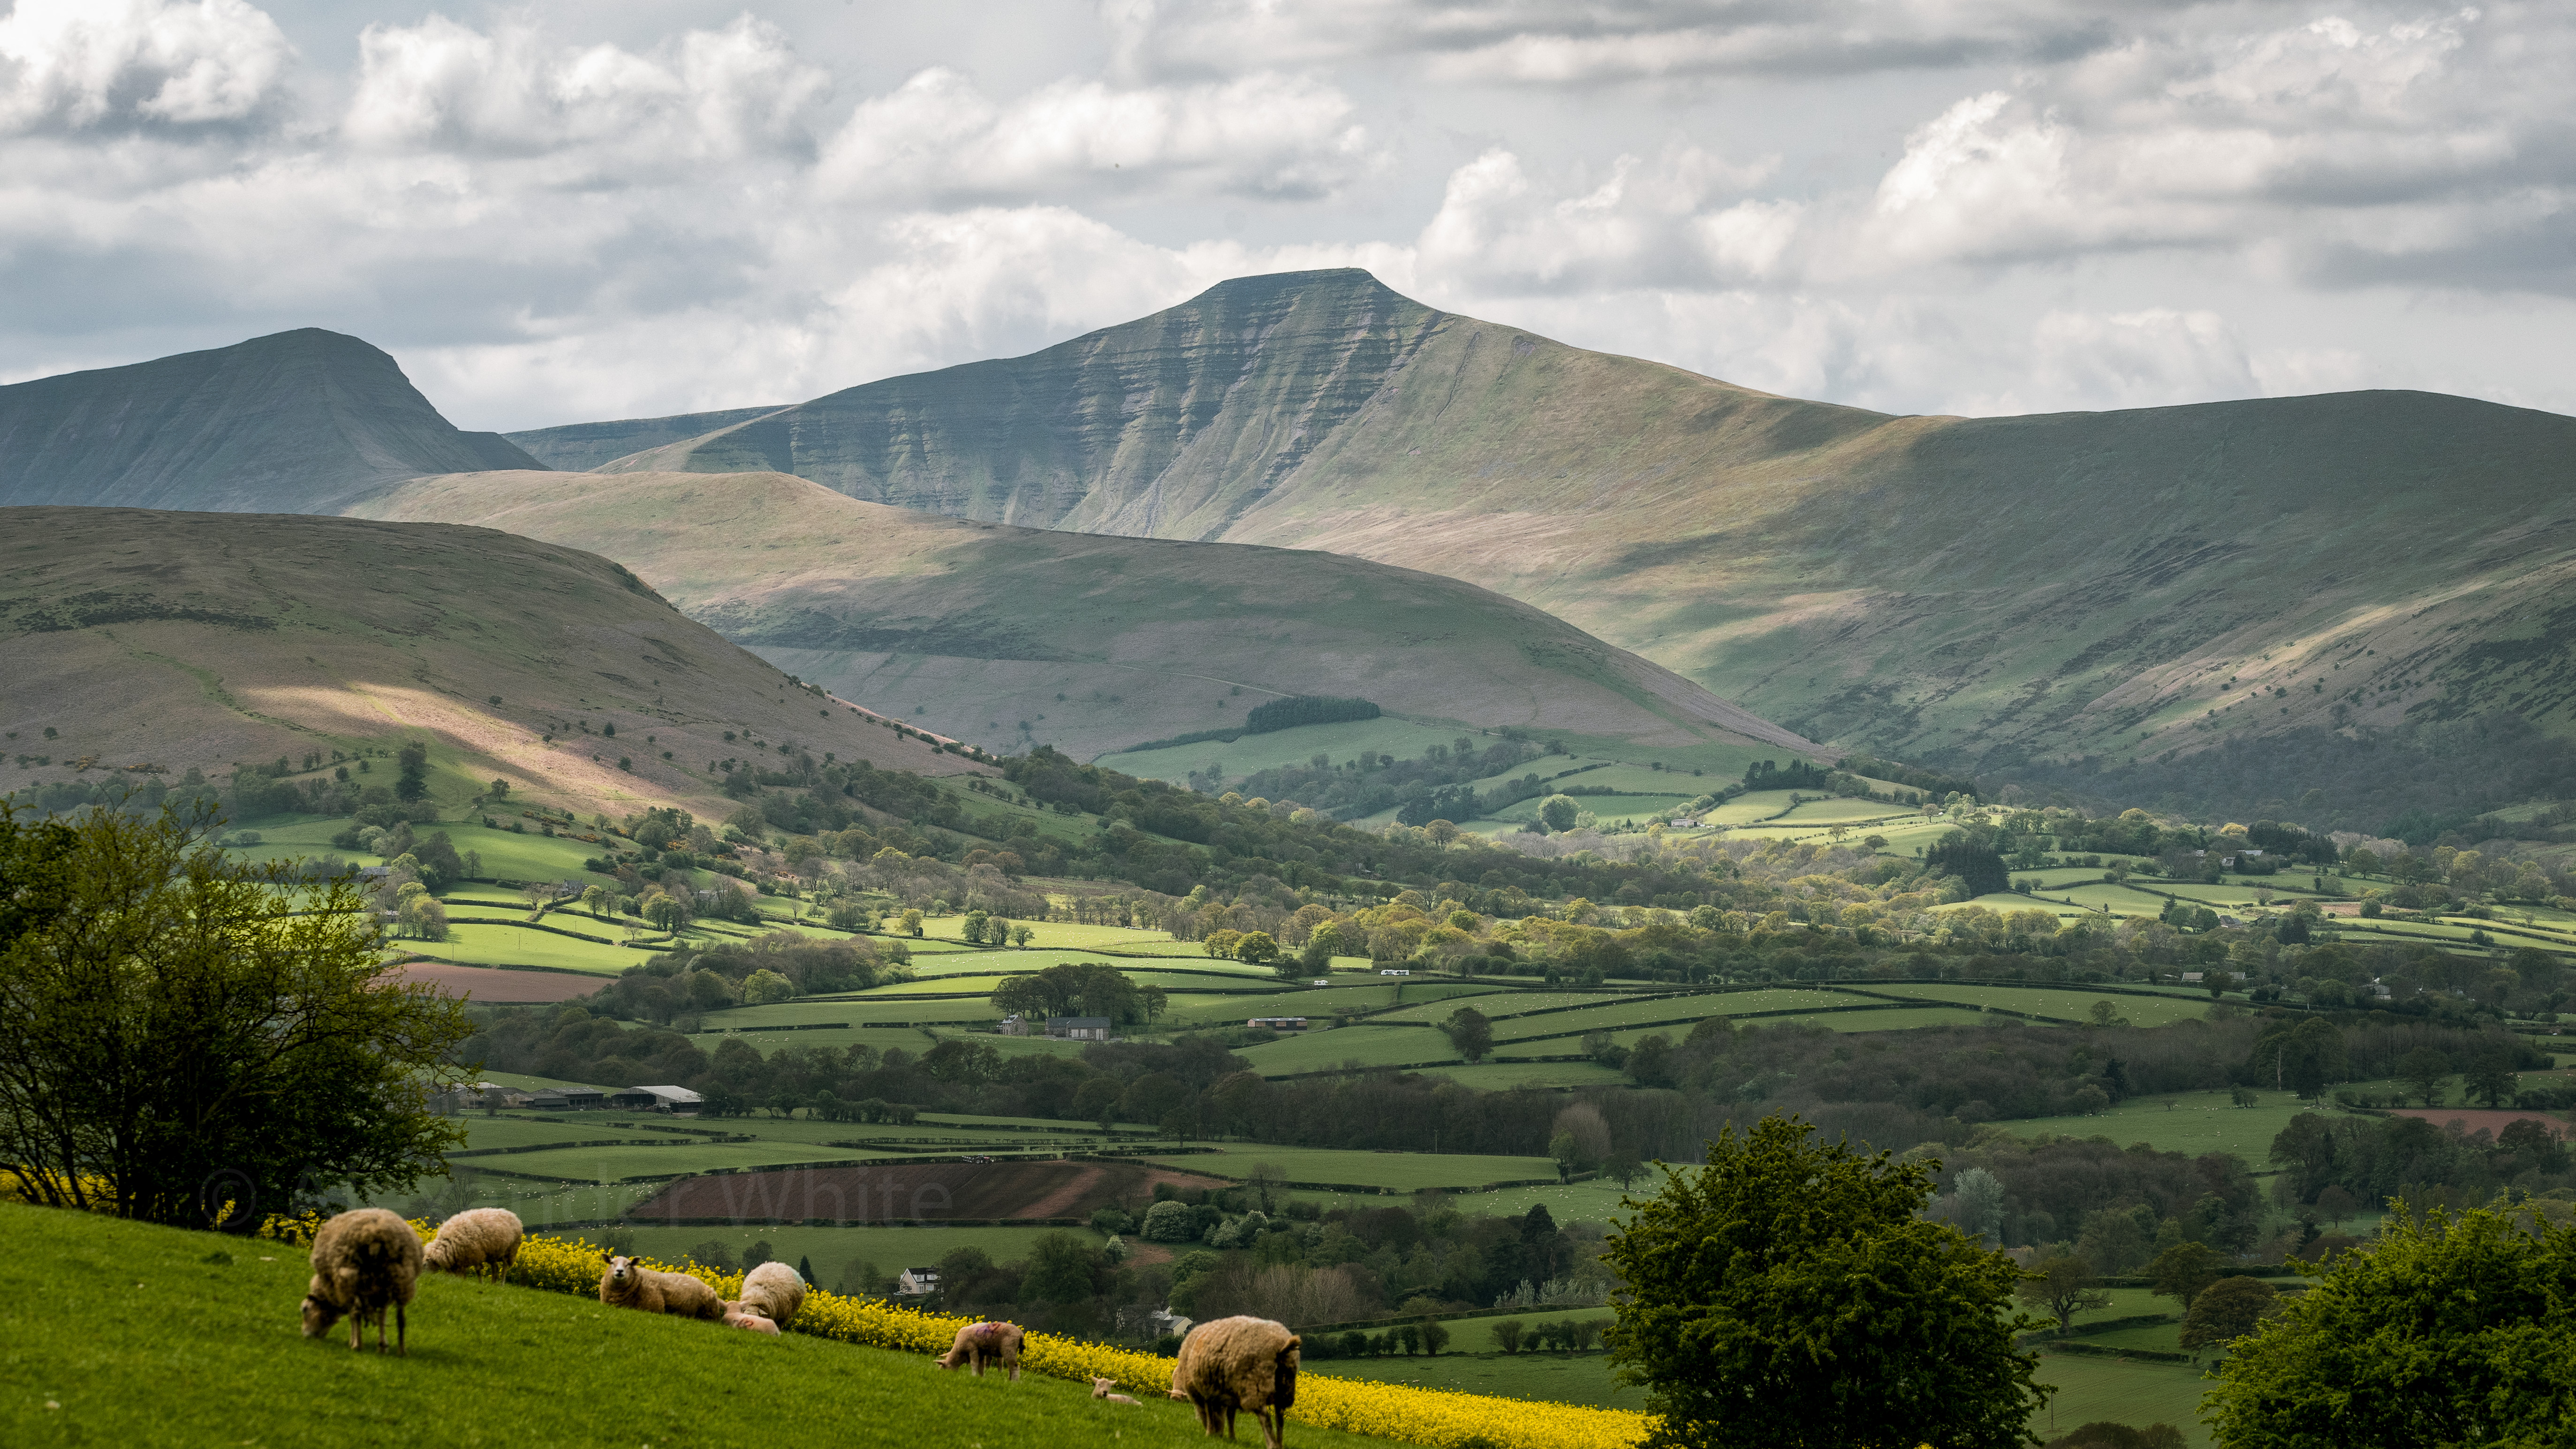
<point x="1959" y="589"/>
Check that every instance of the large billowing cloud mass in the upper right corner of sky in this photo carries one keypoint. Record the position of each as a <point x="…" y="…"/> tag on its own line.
<point x="2333" y="151"/>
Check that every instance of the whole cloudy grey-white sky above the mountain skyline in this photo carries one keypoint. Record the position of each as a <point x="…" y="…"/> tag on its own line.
<point x="617" y="210"/>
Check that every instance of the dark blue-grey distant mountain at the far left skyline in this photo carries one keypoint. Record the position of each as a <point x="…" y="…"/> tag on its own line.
<point x="287" y="424"/>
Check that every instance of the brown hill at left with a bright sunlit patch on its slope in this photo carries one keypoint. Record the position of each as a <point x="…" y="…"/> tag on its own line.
<point x="140" y="638"/>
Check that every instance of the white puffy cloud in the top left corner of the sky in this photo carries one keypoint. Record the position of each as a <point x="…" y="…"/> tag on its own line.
<point x="135" y="63"/>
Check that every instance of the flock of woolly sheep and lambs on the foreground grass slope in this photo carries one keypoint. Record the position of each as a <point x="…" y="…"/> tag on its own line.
<point x="370" y="1262"/>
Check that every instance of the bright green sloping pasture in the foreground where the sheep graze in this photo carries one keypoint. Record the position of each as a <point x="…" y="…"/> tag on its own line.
<point x="140" y="1334"/>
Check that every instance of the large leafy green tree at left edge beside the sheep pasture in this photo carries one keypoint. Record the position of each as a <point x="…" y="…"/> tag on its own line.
<point x="197" y="1040"/>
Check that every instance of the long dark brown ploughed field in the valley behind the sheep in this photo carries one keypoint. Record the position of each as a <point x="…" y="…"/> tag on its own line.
<point x="903" y="1192"/>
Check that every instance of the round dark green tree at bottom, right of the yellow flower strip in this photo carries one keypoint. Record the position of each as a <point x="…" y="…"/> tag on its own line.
<point x="1735" y="1267"/>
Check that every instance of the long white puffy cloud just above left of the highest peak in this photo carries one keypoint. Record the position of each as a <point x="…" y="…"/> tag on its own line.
<point x="1258" y="135"/>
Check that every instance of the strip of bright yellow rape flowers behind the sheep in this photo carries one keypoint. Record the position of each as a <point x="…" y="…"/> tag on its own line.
<point x="1359" y="1406"/>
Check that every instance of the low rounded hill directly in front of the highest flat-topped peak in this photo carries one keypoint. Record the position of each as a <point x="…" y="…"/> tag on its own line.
<point x="1094" y="641"/>
